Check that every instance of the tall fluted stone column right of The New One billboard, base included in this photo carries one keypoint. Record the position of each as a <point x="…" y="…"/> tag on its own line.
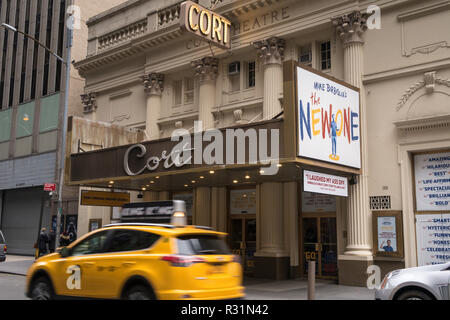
<point x="358" y="255"/>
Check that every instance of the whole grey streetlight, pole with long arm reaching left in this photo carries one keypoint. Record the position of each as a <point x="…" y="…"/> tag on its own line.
<point x="66" y="105"/>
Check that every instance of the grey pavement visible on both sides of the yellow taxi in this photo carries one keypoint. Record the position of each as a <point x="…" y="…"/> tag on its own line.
<point x="13" y="271"/>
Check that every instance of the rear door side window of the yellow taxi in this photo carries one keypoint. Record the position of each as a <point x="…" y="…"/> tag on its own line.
<point x="131" y="240"/>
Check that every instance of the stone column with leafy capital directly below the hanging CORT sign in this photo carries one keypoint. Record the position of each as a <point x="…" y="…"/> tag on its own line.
<point x="206" y="71"/>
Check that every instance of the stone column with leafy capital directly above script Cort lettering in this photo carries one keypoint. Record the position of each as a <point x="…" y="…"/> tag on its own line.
<point x="154" y="87"/>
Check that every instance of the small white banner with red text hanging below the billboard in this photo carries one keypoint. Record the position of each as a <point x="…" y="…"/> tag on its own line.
<point x="325" y="184"/>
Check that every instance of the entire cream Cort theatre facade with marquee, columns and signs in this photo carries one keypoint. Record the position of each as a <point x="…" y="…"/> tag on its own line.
<point x="305" y="130"/>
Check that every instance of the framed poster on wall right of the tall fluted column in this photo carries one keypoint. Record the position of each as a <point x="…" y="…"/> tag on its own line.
<point x="387" y="234"/>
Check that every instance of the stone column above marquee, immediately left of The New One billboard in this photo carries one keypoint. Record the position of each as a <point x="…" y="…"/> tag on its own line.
<point x="271" y="52"/>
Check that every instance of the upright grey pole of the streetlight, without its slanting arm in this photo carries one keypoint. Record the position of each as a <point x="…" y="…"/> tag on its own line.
<point x="62" y="158"/>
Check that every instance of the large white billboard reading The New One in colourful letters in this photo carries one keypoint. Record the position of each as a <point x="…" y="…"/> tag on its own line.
<point x="329" y="124"/>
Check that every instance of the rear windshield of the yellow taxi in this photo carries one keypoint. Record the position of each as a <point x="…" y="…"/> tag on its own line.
<point x="201" y="245"/>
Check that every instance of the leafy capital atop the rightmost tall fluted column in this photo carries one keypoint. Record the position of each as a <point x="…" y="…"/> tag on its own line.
<point x="350" y="27"/>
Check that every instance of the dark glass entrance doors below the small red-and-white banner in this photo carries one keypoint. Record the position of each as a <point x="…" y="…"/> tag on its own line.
<point x="320" y="245"/>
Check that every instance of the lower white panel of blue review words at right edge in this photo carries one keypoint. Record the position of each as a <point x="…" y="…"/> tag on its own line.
<point x="433" y="238"/>
